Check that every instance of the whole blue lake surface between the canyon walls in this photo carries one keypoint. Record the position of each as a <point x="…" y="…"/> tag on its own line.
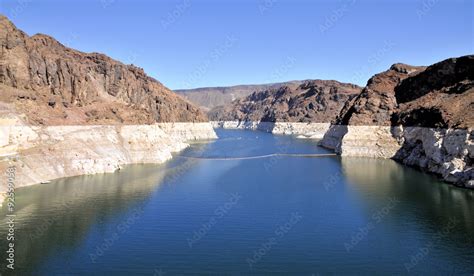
<point x="282" y="215"/>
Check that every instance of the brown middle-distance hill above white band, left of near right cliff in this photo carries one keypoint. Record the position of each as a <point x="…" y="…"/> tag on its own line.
<point x="317" y="101"/>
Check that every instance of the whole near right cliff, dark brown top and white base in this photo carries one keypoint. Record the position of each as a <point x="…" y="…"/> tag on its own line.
<point x="419" y="116"/>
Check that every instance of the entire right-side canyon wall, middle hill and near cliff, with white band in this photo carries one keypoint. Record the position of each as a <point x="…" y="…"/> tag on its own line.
<point x="420" y="116"/>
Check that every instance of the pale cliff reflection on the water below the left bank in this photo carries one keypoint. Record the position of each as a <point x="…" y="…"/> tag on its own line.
<point x="57" y="216"/>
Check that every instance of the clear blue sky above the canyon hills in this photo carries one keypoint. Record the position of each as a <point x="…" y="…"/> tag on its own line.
<point x="191" y="43"/>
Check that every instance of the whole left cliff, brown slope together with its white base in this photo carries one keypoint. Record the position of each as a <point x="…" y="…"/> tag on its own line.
<point x="66" y="113"/>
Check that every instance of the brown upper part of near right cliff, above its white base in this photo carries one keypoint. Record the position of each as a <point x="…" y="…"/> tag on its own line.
<point x="441" y="95"/>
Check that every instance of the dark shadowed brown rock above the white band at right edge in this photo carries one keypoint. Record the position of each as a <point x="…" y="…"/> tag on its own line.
<point x="440" y="96"/>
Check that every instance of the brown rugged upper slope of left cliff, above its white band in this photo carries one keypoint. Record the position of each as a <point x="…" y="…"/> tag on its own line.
<point x="53" y="84"/>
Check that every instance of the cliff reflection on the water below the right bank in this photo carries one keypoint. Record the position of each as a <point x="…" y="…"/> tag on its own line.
<point x="421" y="194"/>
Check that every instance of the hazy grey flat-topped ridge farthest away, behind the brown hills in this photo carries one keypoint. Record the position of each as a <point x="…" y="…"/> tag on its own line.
<point x="209" y="97"/>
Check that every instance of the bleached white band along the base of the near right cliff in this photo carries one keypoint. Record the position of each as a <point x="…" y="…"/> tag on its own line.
<point x="445" y="152"/>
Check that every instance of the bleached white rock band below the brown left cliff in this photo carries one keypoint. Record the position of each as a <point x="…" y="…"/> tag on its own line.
<point x="43" y="153"/>
